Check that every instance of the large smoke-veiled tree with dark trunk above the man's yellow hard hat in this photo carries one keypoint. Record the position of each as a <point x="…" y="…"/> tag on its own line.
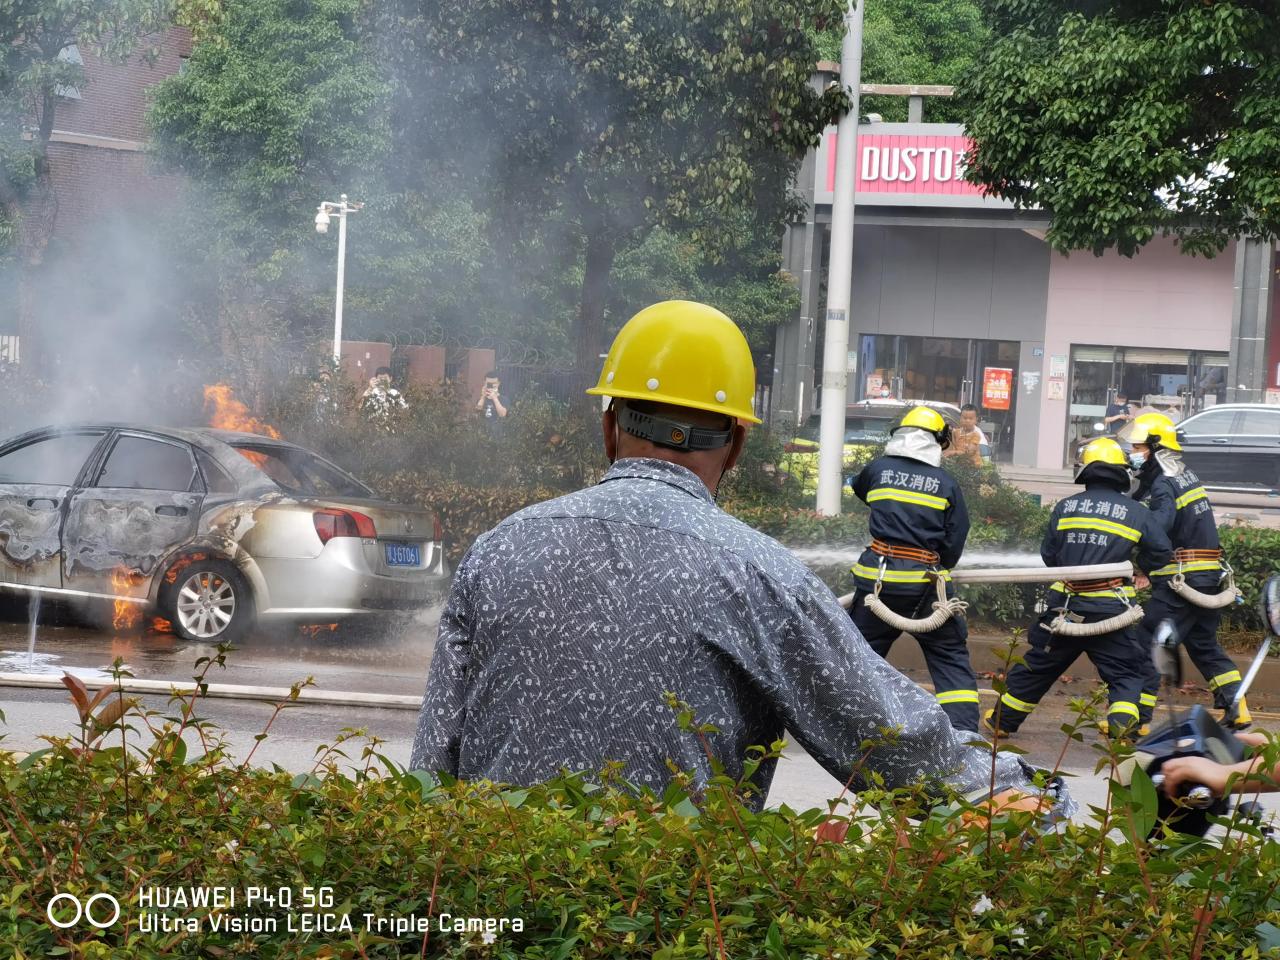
<point x="586" y="126"/>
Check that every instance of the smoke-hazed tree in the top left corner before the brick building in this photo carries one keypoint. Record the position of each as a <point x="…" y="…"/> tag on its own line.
<point x="34" y="68"/>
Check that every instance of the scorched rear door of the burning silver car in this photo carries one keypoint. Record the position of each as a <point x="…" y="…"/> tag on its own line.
<point x="113" y="572"/>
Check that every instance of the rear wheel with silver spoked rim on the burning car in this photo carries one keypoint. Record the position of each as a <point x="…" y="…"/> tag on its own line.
<point x="208" y="601"/>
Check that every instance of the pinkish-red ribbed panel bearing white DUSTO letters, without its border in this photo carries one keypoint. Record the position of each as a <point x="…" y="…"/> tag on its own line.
<point x="894" y="163"/>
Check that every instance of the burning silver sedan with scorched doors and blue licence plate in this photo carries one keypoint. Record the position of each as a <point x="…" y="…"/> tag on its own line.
<point x="212" y="529"/>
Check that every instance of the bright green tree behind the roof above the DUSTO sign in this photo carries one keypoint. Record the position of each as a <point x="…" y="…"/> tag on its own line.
<point x="916" y="42"/>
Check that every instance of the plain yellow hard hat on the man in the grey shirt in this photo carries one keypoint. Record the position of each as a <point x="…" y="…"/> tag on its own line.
<point x="685" y="354"/>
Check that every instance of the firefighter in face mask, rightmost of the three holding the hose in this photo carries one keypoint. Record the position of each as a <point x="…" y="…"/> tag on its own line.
<point x="1192" y="591"/>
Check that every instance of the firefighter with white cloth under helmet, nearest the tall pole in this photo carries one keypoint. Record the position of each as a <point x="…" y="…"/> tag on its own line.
<point x="918" y="527"/>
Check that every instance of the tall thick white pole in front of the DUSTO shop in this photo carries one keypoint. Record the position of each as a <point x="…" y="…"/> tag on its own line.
<point x="835" y="362"/>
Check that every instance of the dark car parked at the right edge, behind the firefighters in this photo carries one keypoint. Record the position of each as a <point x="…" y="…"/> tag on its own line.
<point x="1235" y="447"/>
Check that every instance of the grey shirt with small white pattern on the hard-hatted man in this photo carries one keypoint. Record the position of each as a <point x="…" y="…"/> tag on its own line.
<point x="569" y="621"/>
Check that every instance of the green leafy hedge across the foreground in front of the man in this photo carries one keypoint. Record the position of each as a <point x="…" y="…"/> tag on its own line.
<point x="592" y="872"/>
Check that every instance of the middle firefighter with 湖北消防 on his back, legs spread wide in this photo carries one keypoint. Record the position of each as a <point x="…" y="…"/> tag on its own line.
<point x="1095" y="618"/>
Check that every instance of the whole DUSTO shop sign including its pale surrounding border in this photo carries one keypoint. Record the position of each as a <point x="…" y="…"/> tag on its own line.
<point x="909" y="164"/>
